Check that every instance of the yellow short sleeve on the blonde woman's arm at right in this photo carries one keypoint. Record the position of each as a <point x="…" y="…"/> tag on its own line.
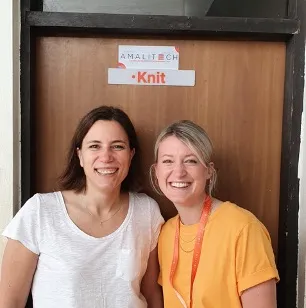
<point x="255" y="262"/>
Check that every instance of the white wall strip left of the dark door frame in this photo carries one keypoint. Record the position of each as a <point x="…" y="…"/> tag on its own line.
<point x="9" y="111"/>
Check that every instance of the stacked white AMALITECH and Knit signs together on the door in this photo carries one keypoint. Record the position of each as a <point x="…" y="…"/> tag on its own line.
<point x="150" y="66"/>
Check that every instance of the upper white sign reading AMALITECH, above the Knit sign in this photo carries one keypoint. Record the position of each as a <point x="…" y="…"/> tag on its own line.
<point x="148" y="57"/>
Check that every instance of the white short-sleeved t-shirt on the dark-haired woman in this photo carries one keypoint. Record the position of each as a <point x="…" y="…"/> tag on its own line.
<point x="76" y="270"/>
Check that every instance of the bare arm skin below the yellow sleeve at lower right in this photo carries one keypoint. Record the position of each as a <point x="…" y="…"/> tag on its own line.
<point x="262" y="295"/>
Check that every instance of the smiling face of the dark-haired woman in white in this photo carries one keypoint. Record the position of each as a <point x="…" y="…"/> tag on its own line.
<point x="105" y="155"/>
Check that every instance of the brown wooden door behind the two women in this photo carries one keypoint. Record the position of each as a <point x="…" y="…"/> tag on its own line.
<point x="238" y="99"/>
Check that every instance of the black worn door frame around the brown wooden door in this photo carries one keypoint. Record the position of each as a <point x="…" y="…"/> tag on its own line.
<point x="36" y="23"/>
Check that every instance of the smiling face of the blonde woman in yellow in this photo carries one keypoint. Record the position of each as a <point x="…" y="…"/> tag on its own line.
<point x="180" y="174"/>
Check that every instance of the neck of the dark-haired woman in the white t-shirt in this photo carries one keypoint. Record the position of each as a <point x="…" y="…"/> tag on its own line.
<point x="100" y="202"/>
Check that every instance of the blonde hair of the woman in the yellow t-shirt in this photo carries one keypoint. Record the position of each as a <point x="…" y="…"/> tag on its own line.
<point x="195" y="137"/>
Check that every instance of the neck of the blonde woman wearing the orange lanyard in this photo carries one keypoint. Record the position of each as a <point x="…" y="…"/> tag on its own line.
<point x="191" y="214"/>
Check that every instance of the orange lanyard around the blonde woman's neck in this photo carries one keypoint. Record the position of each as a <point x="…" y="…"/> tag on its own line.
<point x="196" y="253"/>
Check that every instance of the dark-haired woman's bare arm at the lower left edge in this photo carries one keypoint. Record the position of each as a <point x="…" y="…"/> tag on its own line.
<point x="18" y="268"/>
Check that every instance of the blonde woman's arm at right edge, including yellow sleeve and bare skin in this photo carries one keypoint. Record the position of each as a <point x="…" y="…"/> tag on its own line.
<point x="256" y="271"/>
